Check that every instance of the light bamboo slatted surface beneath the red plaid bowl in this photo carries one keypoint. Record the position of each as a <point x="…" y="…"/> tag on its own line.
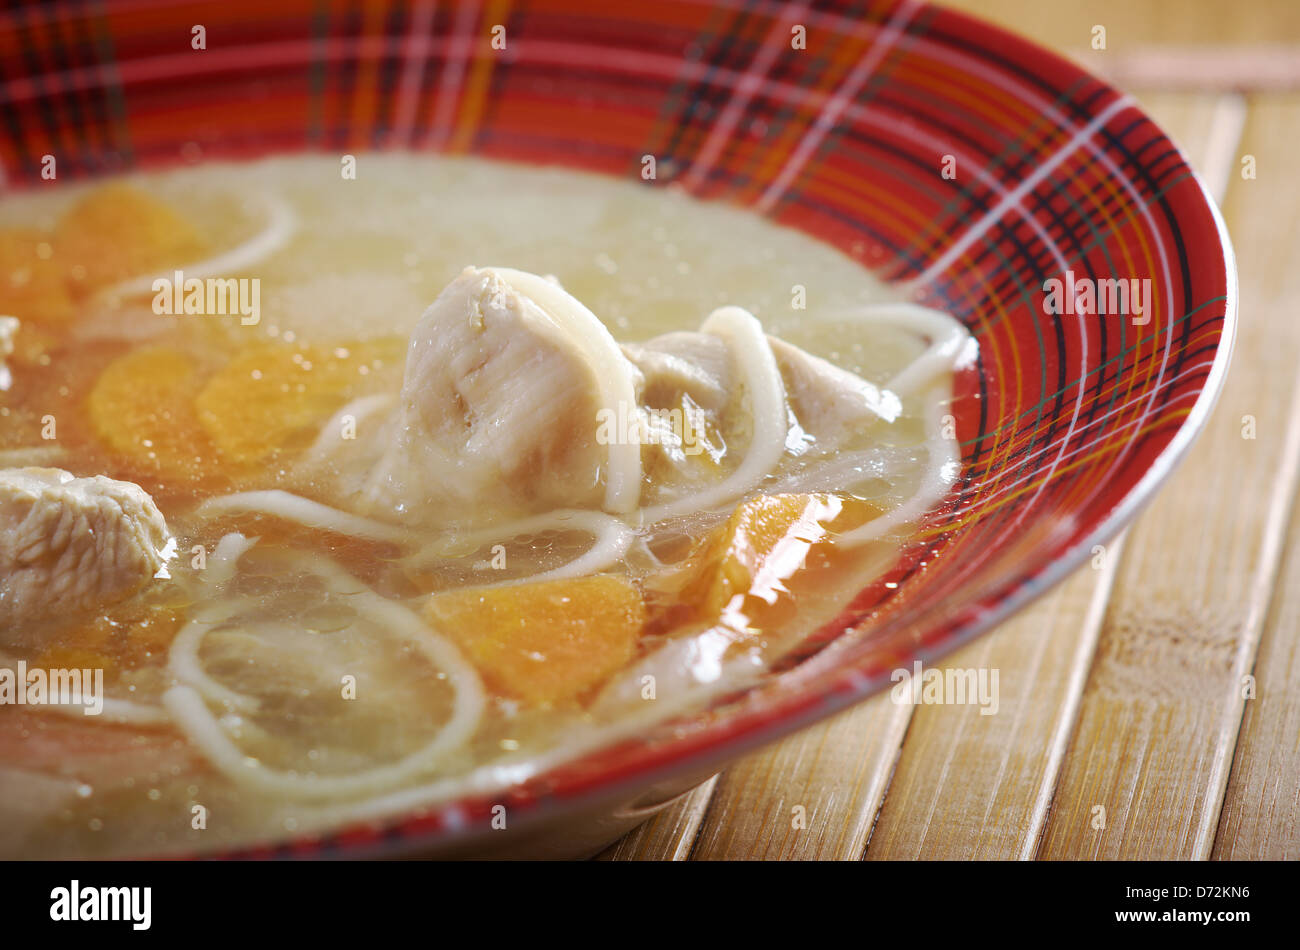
<point x="1150" y="705"/>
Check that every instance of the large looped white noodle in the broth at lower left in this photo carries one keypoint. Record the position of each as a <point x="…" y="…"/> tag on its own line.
<point x="192" y="714"/>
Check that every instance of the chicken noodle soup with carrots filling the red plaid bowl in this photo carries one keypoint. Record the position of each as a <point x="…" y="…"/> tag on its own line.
<point x="356" y="496"/>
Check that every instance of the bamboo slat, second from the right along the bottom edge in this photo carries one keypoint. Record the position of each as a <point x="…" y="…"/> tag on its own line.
<point x="1163" y="706"/>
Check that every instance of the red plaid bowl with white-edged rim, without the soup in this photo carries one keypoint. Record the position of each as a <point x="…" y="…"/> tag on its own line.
<point x="951" y="158"/>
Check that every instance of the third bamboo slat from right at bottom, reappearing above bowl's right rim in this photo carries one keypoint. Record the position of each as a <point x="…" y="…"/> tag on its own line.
<point x="978" y="787"/>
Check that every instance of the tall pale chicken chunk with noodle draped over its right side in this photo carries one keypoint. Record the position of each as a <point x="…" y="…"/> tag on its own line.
<point x="506" y="380"/>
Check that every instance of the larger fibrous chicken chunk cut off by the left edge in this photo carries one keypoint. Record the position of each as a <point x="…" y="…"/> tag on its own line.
<point x="72" y="544"/>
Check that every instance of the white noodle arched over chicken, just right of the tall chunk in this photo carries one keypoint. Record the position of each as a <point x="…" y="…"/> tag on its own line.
<point x="766" y="391"/>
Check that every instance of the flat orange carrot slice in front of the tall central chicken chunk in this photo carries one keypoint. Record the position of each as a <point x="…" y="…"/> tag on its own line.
<point x="548" y="643"/>
